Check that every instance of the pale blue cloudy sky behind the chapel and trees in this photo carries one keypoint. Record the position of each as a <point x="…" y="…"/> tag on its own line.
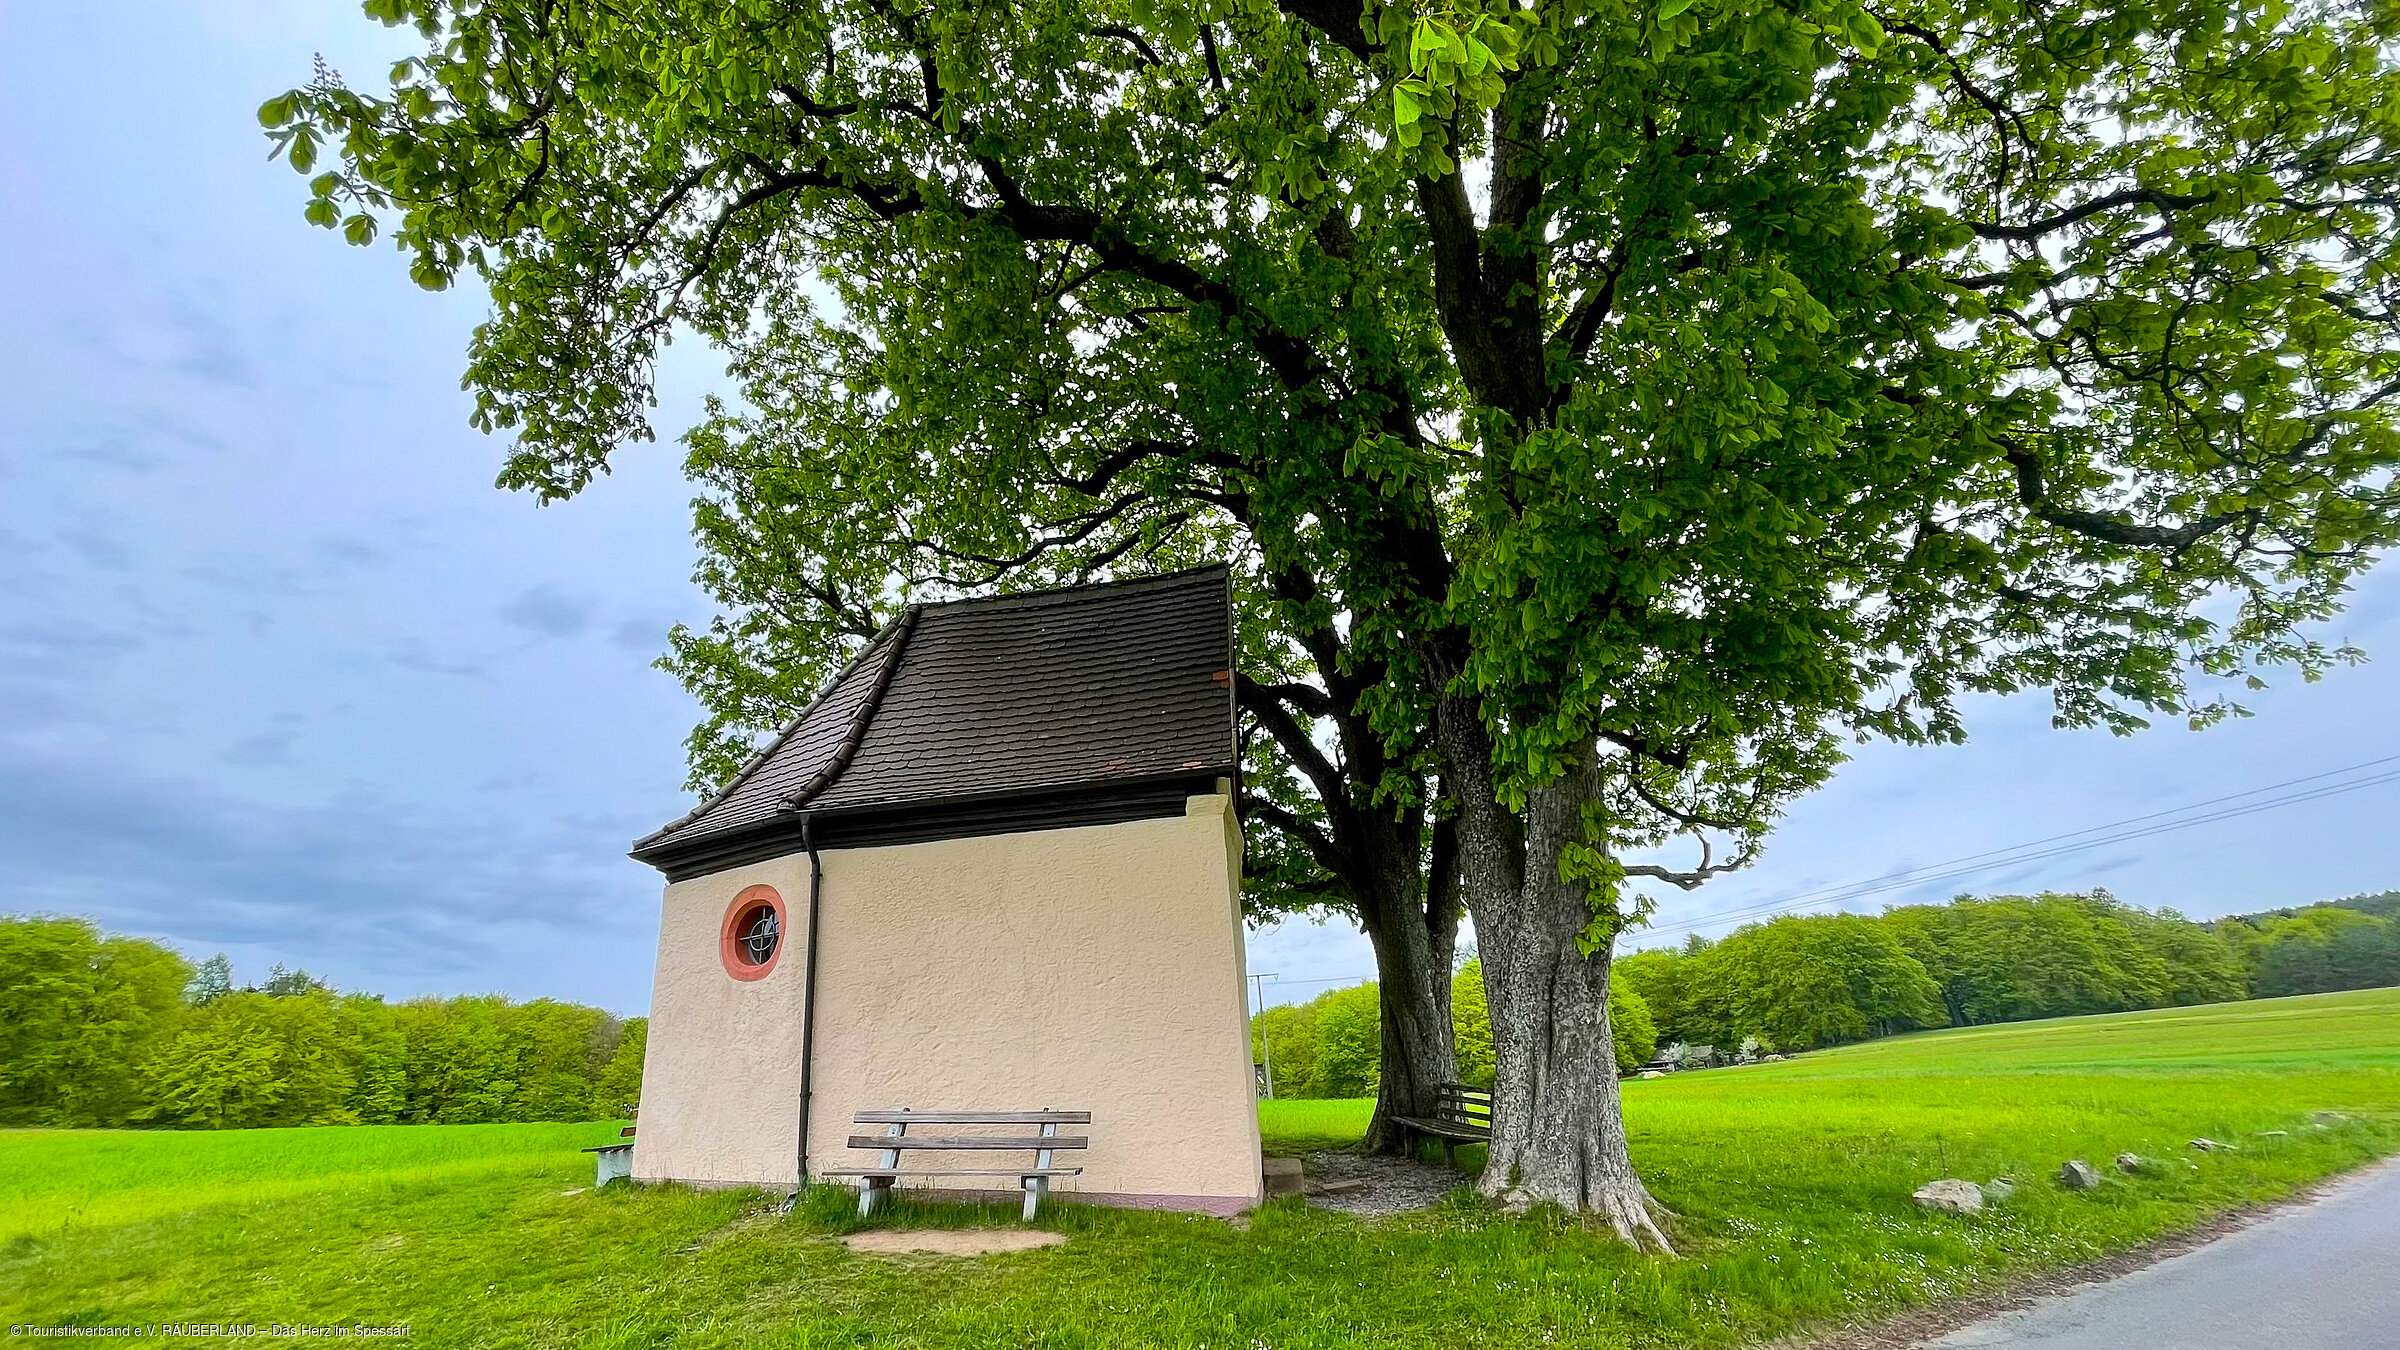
<point x="284" y="676"/>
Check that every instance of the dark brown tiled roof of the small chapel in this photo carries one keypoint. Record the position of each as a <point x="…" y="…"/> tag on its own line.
<point x="1050" y="691"/>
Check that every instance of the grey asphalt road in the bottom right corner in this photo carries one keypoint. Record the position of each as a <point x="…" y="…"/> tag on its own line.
<point x="2324" y="1277"/>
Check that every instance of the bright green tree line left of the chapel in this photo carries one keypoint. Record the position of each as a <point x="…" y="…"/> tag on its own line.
<point x="121" y="1032"/>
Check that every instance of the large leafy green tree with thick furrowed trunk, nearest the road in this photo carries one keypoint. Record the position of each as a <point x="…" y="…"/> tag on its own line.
<point x="1645" y="395"/>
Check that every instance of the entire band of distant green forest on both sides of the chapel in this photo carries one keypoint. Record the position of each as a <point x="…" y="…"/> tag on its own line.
<point x="121" y="1032"/>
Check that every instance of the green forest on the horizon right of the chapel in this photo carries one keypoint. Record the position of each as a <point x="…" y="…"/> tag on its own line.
<point x="1808" y="981"/>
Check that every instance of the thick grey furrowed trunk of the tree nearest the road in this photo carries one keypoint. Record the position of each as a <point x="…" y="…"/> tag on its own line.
<point x="1559" y="1128"/>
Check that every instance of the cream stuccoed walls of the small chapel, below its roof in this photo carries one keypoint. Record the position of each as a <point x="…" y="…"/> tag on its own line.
<point x="1076" y="969"/>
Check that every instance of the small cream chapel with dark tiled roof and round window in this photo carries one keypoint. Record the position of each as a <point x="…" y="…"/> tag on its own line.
<point x="1002" y="844"/>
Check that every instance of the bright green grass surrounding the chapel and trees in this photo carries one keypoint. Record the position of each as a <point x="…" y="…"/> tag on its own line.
<point x="1792" y="1183"/>
